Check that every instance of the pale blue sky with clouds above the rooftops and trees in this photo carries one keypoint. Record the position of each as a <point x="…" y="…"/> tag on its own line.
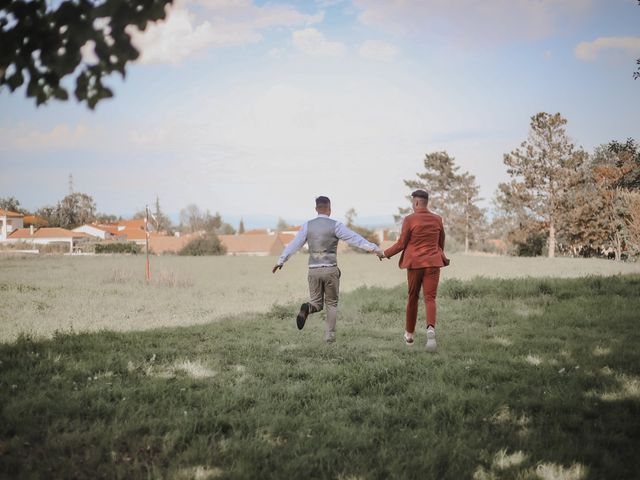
<point x="253" y="108"/>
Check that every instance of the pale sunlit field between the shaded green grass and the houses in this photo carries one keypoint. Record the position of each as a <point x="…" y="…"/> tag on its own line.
<point x="44" y="295"/>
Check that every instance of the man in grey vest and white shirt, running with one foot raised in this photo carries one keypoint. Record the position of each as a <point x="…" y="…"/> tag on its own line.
<point x="322" y="234"/>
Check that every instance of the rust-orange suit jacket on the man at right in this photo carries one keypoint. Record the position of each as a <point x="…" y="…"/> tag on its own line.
<point x="421" y="241"/>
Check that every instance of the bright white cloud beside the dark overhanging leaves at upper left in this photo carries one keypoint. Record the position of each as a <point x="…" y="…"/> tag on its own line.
<point x="220" y="23"/>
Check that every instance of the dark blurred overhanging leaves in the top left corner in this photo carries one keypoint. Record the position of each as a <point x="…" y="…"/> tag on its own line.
<point x="42" y="43"/>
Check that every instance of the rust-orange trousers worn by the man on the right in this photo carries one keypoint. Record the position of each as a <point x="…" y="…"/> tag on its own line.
<point x="425" y="279"/>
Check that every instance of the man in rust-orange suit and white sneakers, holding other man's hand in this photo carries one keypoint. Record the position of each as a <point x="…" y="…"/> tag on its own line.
<point x="422" y="244"/>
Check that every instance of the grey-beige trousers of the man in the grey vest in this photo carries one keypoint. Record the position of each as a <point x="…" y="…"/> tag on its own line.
<point x="324" y="288"/>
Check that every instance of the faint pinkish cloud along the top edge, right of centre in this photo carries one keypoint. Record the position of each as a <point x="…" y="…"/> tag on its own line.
<point x="470" y="22"/>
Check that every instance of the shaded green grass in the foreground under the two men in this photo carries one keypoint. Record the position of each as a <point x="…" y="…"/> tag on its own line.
<point x="533" y="378"/>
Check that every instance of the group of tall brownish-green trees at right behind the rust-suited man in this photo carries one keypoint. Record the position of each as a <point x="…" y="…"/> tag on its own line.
<point x="560" y="199"/>
